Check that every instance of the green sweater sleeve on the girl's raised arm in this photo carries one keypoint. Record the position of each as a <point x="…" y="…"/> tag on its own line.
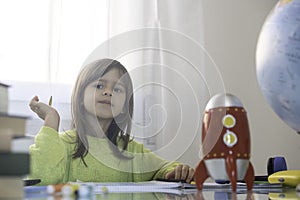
<point x="49" y="157"/>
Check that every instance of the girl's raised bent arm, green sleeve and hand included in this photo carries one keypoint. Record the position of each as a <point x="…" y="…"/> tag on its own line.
<point x="49" y="155"/>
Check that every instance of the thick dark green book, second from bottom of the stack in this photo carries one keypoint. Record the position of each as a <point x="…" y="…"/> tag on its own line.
<point x="14" y="164"/>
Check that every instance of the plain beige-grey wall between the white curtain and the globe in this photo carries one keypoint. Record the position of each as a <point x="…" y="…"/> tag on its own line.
<point x="231" y="31"/>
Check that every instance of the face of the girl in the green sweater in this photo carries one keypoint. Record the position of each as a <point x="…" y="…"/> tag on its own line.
<point x="106" y="97"/>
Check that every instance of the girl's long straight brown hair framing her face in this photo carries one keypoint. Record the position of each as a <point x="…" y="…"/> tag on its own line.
<point x="120" y="127"/>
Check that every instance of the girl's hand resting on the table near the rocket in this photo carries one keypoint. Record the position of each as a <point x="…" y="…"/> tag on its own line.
<point x="181" y="172"/>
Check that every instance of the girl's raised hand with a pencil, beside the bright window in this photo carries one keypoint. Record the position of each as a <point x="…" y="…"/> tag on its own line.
<point x="45" y="112"/>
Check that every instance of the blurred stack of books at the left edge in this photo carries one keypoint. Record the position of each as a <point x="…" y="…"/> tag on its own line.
<point x="14" y="164"/>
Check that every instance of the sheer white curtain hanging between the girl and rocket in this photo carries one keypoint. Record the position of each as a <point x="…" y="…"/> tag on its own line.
<point x="160" y="42"/>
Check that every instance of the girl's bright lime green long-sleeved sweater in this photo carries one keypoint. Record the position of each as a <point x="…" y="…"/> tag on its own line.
<point x="52" y="162"/>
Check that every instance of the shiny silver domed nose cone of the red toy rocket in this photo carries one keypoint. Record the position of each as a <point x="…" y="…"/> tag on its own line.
<point x="223" y="100"/>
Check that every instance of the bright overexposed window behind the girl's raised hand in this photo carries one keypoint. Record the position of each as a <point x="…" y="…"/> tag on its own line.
<point x="43" y="46"/>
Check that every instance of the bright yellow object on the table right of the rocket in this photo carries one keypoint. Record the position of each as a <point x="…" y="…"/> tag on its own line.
<point x="287" y="177"/>
